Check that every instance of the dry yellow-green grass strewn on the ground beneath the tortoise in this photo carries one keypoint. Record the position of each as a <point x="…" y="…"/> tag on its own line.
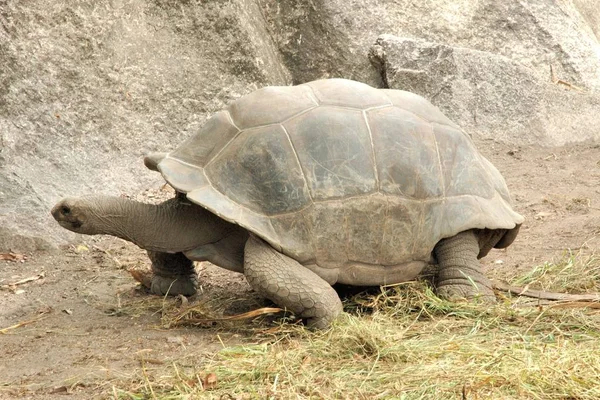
<point x="405" y="343"/>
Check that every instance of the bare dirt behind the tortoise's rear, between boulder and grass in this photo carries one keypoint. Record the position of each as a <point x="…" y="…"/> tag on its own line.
<point x="557" y="191"/>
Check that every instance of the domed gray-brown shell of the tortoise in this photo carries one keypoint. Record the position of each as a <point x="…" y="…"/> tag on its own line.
<point x="335" y="172"/>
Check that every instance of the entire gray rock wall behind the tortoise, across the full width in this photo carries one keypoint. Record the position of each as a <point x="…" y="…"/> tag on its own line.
<point x="87" y="89"/>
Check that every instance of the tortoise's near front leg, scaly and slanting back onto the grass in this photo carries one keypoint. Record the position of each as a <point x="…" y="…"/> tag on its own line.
<point x="290" y="285"/>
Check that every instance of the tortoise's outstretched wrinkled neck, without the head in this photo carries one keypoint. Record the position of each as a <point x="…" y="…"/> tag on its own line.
<point x="172" y="226"/>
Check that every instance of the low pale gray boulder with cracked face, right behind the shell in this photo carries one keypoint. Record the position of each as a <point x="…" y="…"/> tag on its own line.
<point x="489" y="95"/>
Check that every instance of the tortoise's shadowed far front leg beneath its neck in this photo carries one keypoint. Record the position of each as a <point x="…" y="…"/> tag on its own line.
<point x="174" y="274"/>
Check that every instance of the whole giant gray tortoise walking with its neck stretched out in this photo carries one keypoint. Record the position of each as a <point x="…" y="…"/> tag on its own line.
<point x="301" y="187"/>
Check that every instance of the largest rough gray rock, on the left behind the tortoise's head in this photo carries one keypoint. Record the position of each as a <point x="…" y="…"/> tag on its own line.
<point x="87" y="88"/>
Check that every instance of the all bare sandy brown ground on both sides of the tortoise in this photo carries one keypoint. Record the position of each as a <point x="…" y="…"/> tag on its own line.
<point x="83" y="336"/>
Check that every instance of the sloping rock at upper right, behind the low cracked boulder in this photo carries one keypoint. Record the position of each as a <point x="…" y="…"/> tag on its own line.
<point x="321" y="38"/>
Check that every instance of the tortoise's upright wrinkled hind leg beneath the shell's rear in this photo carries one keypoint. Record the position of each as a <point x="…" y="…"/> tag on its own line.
<point x="459" y="272"/>
